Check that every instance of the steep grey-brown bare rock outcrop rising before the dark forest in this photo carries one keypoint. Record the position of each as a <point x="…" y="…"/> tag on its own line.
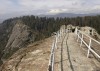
<point x="21" y="35"/>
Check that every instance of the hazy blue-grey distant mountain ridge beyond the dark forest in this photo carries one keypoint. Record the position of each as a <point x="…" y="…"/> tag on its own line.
<point x="62" y="15"/>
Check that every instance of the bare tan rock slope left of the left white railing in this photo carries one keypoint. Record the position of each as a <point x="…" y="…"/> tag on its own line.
<point x="33" y="58"/>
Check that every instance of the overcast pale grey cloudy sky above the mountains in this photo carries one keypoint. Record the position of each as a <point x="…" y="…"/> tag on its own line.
<point x="10" y="8"/>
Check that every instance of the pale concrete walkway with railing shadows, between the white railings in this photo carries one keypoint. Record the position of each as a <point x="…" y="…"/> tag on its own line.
<point x="70" y="57"/>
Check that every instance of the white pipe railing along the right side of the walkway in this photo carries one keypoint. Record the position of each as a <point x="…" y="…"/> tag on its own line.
<point x="80" y="36"/>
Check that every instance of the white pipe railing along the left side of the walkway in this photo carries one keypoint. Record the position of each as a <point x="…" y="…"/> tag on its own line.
<point x="57" y="37"/>
